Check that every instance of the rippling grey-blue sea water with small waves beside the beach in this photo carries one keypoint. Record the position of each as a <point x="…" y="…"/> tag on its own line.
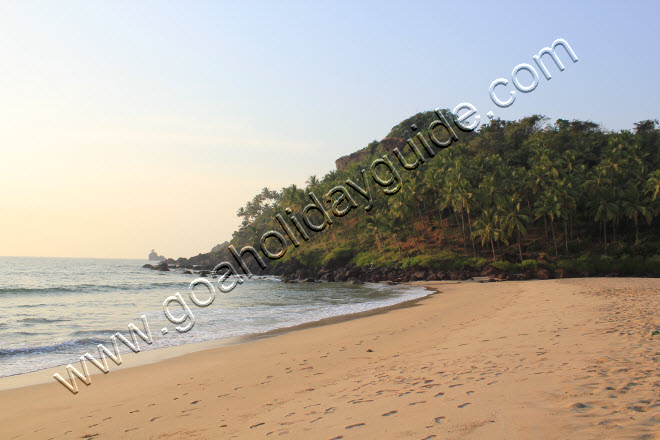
<point x="56" y="309"/>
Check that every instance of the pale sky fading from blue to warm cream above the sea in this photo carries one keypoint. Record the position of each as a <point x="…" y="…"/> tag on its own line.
<point x="127" y="126"/>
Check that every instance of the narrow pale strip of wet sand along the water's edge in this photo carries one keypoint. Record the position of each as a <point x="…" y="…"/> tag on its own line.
<point x="154" y="356"/>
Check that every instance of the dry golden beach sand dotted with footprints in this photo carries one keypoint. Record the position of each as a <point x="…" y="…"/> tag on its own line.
<point x="552" y="359"/>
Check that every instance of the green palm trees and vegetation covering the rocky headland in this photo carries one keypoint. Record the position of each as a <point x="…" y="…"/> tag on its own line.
<point x="514" y="195"/>
